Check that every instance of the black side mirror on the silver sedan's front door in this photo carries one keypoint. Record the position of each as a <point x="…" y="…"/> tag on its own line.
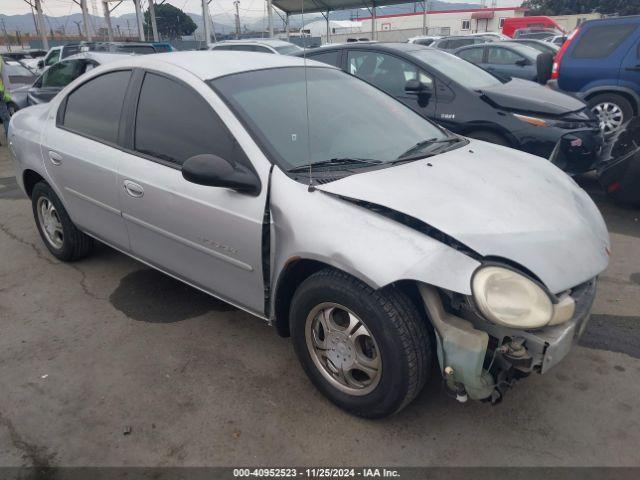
<point x="214" y="171"/>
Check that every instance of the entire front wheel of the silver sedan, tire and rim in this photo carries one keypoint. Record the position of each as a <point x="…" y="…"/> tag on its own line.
<point x="368" y="351"/>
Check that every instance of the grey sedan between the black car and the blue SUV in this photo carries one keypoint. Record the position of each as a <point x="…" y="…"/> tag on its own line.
<point x="504" y="59"/>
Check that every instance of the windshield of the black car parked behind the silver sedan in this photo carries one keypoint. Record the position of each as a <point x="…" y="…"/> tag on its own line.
<point x="460" y="71"/>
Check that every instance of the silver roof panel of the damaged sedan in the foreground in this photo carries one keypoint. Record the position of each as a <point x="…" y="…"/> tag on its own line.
<point x="209" y="64"/>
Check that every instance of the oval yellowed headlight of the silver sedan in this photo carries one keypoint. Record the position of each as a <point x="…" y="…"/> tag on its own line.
<point x="508" y="298"/>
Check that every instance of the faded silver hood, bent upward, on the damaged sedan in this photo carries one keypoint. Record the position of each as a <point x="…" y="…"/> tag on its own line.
<point x="499" y="202"/>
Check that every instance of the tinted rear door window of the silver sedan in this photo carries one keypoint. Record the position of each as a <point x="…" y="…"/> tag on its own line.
<point x="94" y="108"/>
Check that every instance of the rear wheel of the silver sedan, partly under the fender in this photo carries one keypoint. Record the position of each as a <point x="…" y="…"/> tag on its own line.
<point x="59" y="234"/>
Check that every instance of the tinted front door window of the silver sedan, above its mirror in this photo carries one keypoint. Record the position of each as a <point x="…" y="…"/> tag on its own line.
<point x="174" y="123"/>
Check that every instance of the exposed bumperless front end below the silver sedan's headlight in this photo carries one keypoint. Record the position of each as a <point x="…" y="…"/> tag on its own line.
<point x="481" y="359"/>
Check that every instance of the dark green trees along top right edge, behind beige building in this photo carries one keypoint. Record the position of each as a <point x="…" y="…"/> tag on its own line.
<point x="568" y="7"/>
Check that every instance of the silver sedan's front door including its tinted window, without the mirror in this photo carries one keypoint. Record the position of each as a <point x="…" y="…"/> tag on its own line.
<point x="209" y="237"/>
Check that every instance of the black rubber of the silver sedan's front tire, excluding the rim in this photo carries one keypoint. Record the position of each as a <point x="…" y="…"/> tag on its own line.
<point x="391" y="391"/>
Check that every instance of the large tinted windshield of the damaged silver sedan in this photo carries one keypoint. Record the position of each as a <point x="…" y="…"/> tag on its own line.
<point x="346" y="118"/>
